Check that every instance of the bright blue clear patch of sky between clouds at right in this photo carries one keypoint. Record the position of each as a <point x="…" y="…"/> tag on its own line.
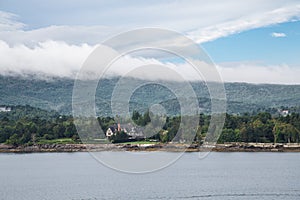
<point x="258" y="45"/>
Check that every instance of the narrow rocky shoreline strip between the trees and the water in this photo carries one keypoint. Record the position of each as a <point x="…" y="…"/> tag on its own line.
<point x="231" y="147"/>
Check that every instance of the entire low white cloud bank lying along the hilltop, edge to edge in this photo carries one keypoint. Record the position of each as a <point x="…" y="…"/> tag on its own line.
<point x="61" y="59"/>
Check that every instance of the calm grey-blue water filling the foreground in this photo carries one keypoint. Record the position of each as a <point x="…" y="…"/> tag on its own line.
<point x="78" y="176"/>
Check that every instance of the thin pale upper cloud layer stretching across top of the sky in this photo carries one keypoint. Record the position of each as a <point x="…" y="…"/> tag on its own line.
<point x="201" y="20"/>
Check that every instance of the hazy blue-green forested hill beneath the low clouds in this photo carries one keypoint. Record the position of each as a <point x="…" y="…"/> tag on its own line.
<point x="56" y="94"/>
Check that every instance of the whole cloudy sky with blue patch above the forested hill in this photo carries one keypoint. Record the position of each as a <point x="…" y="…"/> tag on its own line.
<point x="255" y="41"/>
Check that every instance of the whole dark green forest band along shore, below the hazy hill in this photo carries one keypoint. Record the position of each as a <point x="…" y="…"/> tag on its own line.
<point x="25" y="125"/>
